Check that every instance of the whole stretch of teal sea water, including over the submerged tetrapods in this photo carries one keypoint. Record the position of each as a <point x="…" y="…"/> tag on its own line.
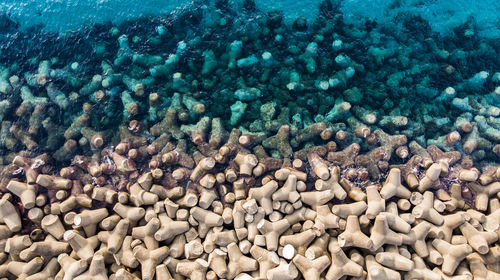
<point x="422" y="69"/>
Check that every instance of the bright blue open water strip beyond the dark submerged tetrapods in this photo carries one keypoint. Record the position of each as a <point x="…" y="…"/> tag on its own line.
<point x="69" y="15"/>
